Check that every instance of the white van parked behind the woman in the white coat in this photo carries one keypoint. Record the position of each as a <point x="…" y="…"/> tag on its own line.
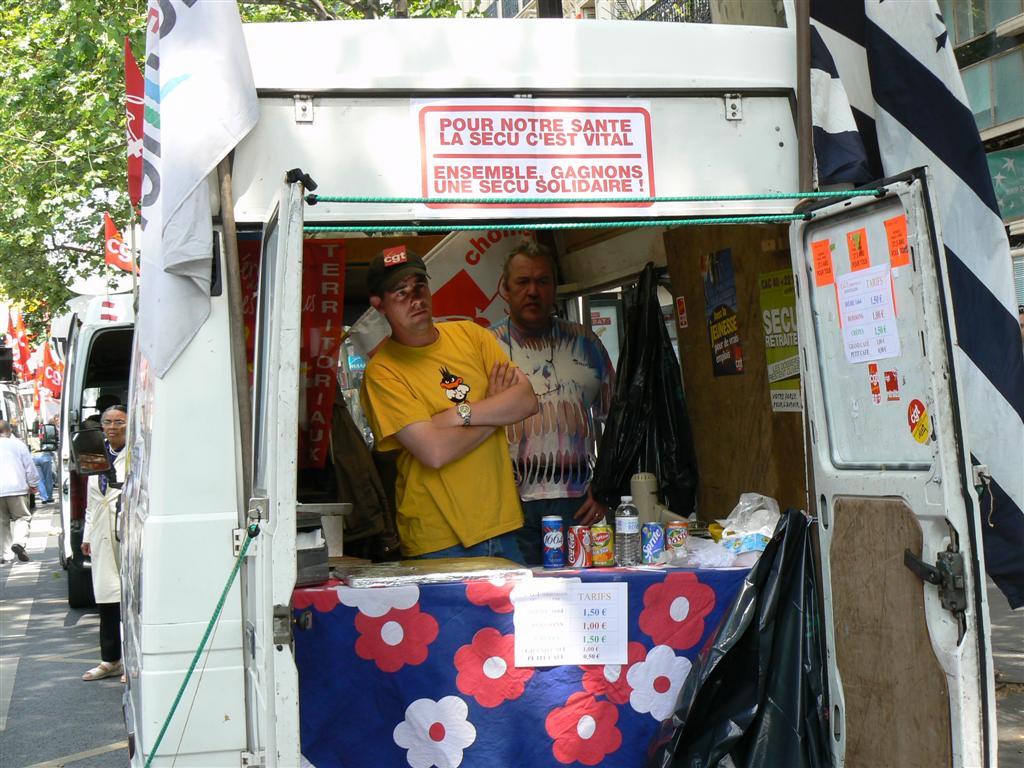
<point x="98" y="362"/>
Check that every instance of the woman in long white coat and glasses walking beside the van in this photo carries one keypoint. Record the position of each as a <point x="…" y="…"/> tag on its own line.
<point x="100" y="543"/>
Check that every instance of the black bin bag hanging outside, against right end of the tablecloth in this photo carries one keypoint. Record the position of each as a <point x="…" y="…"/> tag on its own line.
<point x="757" y="696"/>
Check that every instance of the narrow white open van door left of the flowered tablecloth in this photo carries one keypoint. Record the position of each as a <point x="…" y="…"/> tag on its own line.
<point x="269" y="573"/>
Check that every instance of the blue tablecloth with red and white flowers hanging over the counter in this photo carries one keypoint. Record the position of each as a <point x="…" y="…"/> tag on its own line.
<point x="424" y="675"/>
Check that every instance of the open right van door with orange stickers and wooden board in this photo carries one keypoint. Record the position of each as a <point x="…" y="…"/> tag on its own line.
<point x="906" y="611"/>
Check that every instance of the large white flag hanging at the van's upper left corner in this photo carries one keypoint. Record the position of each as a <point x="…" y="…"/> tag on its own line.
<point x="200" y="103"/>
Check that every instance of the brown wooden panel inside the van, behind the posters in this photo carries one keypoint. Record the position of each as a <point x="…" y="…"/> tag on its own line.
<point x="742" y="445"/>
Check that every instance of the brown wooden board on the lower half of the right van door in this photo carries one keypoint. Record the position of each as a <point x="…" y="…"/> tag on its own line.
<point x="898" y="704"/>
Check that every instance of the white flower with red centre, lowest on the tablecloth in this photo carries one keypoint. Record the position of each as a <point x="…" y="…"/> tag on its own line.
<point x="436" y="734"/>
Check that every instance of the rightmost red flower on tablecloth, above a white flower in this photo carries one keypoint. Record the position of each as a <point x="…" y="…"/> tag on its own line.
<point x="675" y="610"/>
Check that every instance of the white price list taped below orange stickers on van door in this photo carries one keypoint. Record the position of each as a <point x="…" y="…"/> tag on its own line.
<point x="868" y="315"/>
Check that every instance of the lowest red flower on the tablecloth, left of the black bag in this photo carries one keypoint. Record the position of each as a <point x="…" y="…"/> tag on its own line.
<point x="584" y="731"/>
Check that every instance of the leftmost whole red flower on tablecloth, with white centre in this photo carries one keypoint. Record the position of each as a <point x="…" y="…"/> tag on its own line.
<point x="398" y="638"/>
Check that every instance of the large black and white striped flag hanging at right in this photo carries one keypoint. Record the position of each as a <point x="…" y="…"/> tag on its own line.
<point x="895" y="62"/>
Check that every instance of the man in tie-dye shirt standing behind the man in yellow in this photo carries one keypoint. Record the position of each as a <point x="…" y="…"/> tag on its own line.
<point x="553" y="451"/>
